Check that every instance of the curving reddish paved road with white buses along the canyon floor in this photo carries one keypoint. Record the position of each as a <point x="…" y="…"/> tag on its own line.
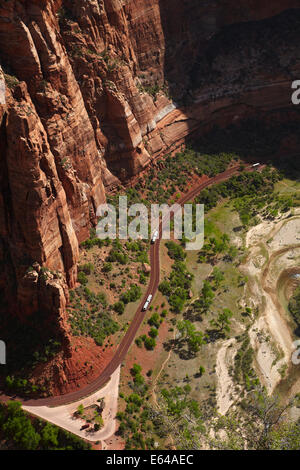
<point x="139" y="316"/>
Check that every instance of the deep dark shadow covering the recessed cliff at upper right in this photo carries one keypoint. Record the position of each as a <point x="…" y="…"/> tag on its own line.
<point x="223" y="63"/>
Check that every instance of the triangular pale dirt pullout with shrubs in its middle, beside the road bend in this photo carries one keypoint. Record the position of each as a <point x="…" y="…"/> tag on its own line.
<point x="63" y="417"/>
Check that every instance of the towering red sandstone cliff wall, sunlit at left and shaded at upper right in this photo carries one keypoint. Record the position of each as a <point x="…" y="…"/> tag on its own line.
<point x="96" y="90"/>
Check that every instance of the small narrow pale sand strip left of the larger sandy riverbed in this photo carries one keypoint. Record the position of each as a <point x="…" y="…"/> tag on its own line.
<point x="226" y="387"/>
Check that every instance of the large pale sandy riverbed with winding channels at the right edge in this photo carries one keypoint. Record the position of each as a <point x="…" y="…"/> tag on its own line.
<point x="270" y="335"/>
